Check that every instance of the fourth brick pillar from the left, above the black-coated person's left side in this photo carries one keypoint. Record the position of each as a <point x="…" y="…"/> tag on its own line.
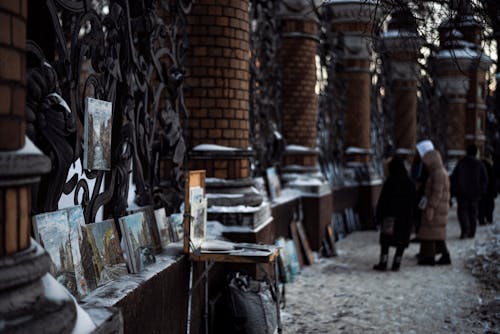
<point x="352" y="23"/>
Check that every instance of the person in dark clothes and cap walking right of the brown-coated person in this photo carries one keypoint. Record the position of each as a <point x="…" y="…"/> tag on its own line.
<point x="468" y="182"/>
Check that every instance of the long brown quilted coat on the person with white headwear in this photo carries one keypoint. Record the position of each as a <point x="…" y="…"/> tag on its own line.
<point x="437" y="191"/>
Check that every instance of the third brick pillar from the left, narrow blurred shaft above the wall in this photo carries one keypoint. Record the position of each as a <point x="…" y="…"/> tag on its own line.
<point x="299" y="31"/>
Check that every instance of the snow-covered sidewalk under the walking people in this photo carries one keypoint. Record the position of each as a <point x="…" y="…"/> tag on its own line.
<point x="345" y="295"/>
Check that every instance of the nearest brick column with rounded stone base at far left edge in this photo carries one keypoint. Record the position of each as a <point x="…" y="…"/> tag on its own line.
<point x="26" y="305"/>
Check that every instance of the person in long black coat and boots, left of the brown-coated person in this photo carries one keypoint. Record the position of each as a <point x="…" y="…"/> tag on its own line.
<point x="396" y="204"/>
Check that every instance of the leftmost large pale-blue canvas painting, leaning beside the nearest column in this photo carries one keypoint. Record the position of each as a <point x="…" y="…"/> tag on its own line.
<point x="60" y="233"/>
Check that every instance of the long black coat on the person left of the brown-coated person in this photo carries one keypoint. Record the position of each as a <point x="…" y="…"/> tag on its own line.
<point x="397" y="200"/>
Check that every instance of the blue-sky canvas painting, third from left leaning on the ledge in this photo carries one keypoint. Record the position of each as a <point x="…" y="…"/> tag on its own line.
<point x="135" y="231"/>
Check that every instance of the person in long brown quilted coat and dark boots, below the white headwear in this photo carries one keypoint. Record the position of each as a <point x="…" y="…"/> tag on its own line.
<point x="435" y="204"/>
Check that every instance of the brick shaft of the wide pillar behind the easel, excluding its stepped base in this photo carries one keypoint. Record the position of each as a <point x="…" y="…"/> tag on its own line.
<point x="218" y="86"/>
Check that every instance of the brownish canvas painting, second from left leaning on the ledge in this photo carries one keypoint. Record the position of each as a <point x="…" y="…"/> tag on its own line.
<point x="107" y="257"/>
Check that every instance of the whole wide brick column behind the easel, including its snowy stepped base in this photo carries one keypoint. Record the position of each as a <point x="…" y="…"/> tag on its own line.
<point x="217" y="100"/>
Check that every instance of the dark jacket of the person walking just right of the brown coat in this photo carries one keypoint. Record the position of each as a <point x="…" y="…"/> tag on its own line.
<point x="469" y="179"/>
